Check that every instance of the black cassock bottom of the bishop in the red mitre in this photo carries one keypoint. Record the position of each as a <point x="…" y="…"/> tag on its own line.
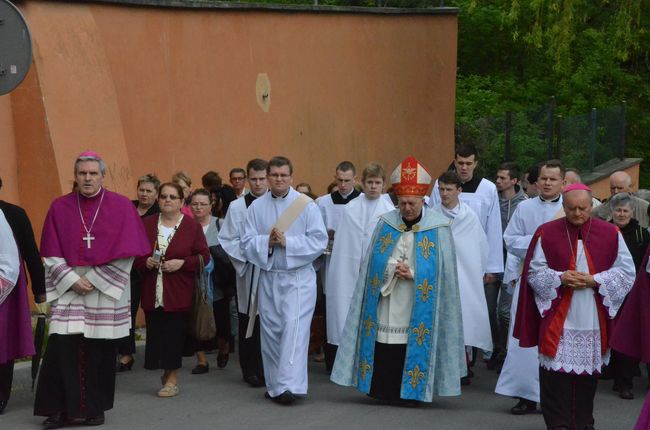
<point x="387" y="376"/>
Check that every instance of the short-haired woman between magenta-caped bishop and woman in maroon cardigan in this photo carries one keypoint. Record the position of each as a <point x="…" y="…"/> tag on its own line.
<point x="147" y="205"/>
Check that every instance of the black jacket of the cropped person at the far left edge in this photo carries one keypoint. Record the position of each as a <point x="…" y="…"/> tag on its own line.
<point x="24" y="234"/>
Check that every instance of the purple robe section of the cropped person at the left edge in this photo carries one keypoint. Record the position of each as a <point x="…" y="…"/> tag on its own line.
<point x="16" y="323"/>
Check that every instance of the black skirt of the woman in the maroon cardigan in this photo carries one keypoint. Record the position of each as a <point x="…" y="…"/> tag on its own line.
<point x="166" y="332"/>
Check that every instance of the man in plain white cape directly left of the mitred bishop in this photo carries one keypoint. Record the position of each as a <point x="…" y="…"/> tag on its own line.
<point x="354" y="232"/>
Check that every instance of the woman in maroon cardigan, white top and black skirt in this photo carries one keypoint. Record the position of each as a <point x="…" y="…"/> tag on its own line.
<point x="168" y="283"/>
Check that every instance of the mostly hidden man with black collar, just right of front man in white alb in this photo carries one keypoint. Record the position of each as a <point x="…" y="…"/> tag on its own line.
<point x="331" y="207"/>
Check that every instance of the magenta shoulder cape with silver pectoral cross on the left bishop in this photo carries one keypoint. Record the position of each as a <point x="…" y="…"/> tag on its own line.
<point x="118" y="230"/>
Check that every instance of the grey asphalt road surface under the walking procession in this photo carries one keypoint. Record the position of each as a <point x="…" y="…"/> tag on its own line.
<point x="220" y="400"/>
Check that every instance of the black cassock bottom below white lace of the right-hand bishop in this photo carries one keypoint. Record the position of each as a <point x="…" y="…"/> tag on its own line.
<point x="567" y="400"/>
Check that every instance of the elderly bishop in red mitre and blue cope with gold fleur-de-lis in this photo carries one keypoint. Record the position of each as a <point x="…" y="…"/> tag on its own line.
<point x="403" y="338"/>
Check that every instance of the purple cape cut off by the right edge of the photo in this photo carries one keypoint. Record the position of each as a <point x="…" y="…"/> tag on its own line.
<point x="632" y="331"/>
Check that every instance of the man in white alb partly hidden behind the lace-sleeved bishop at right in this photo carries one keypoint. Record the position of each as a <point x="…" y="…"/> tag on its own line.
<point x="520" y="376"/>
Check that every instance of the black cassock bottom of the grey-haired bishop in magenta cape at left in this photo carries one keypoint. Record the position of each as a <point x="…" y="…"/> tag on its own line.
<point x="77" y="377"/>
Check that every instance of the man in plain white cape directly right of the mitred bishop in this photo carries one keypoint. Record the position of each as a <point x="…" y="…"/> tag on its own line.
<point x="471" y="256"/>
